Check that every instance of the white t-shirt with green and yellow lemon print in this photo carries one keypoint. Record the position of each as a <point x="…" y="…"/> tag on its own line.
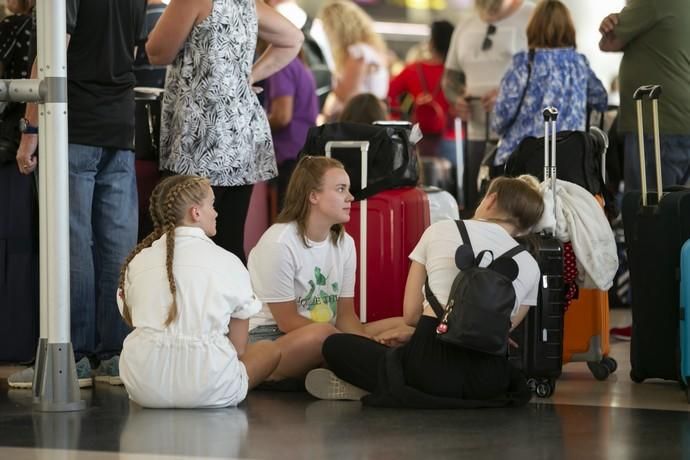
<point x="282" y="269"/>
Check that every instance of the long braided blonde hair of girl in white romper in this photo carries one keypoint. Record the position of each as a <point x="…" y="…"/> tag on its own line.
<point x="168" y="205"/>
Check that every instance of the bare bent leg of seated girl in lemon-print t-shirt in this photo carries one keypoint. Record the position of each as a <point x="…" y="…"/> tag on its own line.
<point x="301" y="350"/>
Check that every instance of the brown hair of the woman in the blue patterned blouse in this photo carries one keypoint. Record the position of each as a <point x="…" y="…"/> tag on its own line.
<point x="551" y="26"/>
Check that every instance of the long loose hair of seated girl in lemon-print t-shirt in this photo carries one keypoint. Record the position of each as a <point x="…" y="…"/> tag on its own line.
<point x="306" y="178"/>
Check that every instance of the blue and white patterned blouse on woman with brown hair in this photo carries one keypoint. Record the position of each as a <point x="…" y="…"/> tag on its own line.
<point x="561" y="77"/>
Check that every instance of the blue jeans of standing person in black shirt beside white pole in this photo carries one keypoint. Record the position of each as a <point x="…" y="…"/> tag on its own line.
<point x="103" y="230"/>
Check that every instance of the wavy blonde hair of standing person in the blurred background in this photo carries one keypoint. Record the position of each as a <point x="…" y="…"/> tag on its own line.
<point x="345" y="24"/>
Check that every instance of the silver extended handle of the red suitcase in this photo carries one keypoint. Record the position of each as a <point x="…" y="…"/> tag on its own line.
<point x="363" y="146"/>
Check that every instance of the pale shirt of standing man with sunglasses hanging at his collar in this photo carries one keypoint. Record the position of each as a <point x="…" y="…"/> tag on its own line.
<point x="484" y="69"/>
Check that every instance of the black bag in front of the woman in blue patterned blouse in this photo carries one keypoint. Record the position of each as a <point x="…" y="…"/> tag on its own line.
<point x="578" y="157"/>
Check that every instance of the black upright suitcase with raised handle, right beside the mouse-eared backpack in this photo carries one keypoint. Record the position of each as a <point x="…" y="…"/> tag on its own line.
<point x="540" y="335"/>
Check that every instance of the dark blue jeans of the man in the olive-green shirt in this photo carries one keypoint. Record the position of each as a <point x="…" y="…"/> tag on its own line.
<point x="675" y="161"/>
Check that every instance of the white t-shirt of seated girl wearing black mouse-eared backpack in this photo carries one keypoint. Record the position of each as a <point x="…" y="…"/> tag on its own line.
<point x="436" y="251"/>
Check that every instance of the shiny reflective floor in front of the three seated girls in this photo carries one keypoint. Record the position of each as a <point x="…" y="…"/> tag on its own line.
<point x="615" y="419"/>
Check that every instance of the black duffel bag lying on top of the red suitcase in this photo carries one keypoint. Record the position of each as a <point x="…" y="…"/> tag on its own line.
<point x="392" y="159"/>
